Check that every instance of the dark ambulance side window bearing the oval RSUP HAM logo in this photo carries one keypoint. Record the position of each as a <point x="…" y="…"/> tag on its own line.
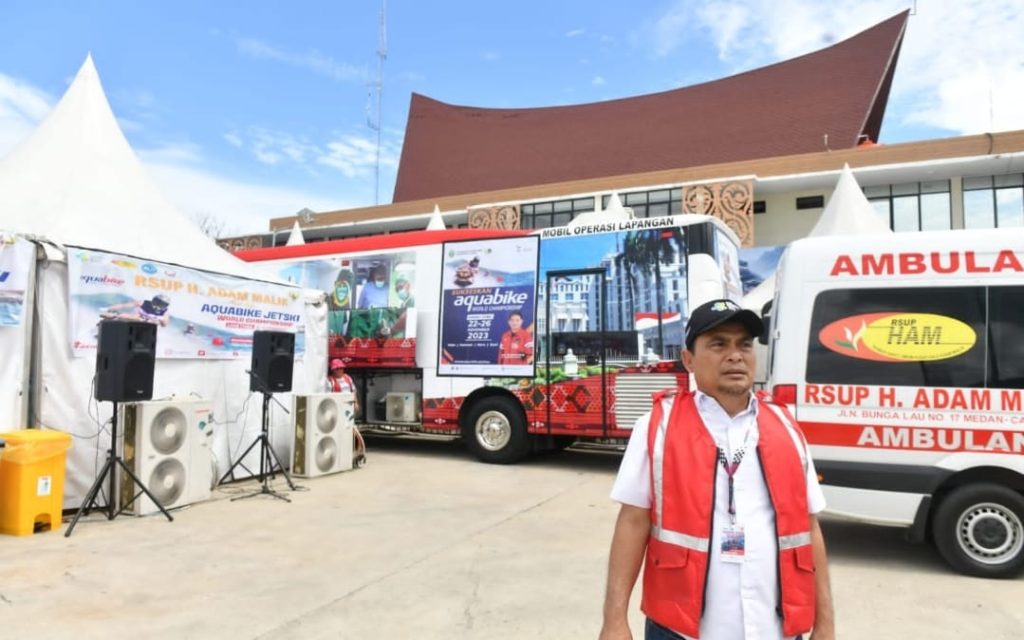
<point x="849" y="345"/>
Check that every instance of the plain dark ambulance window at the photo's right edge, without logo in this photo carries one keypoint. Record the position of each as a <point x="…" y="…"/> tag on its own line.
<point x="1006" y="327"/>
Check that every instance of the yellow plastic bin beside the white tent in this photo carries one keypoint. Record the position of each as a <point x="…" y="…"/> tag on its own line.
<point x="32" y="471"/>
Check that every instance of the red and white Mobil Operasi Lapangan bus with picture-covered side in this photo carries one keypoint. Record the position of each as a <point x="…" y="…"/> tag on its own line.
<point x="516" y="340"/>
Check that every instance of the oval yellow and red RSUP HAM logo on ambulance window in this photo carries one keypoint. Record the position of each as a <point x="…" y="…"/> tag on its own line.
<point x="899" y="337"/>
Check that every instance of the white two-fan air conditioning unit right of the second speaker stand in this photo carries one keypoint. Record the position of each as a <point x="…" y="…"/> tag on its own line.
<point x="323" y="434"/>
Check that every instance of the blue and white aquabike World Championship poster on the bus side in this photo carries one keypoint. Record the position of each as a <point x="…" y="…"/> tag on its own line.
<point x="489" y="300"/>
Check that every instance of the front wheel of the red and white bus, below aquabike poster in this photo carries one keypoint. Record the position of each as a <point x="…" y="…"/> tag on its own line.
<point x="495" y="432"/>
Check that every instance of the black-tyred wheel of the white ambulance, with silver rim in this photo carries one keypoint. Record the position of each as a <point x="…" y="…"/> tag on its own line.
<point x="979" y="530"/>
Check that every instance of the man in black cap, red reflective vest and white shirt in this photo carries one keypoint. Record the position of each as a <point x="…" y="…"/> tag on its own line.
<point x="719" y="497"/>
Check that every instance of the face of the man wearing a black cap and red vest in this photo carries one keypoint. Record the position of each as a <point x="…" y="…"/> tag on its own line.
<point x="723" y="361"/>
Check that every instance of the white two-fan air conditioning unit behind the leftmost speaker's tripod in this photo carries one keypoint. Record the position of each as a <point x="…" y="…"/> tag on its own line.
<point x="167" y="446"/>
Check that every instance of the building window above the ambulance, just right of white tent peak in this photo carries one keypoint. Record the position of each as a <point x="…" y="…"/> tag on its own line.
<point x="913" y="206"/>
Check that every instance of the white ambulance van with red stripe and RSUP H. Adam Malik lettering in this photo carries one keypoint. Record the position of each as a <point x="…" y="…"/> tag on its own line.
<point x="903" y="358"/>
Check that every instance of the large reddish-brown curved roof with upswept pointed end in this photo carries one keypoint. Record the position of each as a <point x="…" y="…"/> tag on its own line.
<point x="781" y="110"/>
